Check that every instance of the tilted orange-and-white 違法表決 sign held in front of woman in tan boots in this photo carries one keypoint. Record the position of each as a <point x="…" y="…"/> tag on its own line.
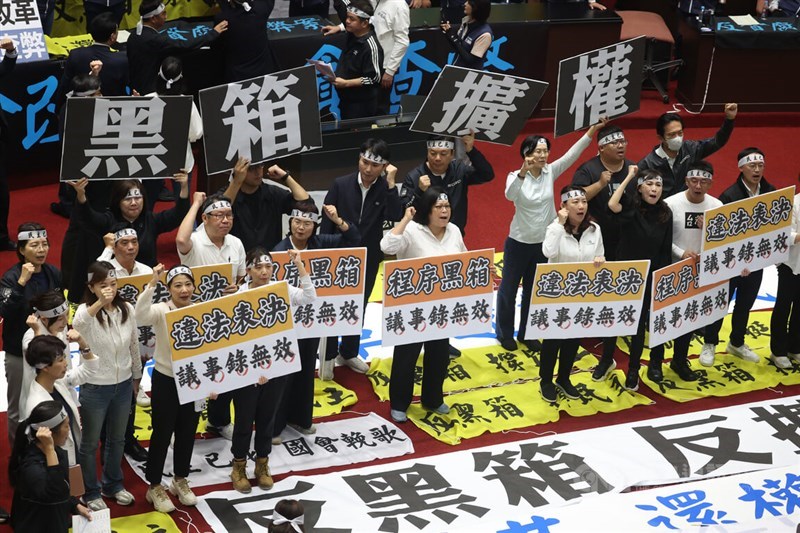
<point x="233" y="341"/>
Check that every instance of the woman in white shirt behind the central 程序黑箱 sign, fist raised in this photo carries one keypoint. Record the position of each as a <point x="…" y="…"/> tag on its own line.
<point x="423" y="233"/>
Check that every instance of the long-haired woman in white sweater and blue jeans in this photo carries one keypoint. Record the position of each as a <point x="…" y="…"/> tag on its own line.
<point x="107" y="324"/>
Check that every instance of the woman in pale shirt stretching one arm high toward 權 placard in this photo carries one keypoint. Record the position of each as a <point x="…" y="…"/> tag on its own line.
<point x="531" y="190"/>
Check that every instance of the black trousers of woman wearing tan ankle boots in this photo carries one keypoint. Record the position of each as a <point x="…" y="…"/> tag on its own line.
<point x="256" y="404"/>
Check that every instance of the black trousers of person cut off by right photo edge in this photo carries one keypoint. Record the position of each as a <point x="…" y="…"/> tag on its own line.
<point x="784" y="326"/>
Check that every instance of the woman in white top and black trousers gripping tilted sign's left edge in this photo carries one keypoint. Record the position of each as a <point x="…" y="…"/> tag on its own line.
<point x="169" y="417"/>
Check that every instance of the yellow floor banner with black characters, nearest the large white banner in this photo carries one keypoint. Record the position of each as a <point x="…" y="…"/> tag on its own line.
<point x="519" y="405"/>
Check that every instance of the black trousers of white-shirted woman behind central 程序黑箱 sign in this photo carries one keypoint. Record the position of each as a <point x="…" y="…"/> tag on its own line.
<point x="434" y="370"/>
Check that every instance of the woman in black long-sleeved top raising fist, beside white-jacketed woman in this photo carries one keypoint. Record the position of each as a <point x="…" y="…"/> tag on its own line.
<point x="646" y="221"/>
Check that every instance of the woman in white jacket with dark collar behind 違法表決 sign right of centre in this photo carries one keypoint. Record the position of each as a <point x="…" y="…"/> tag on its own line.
<point x="573" y="237"/>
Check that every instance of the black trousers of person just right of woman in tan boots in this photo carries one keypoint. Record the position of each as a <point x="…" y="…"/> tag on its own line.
<point x="297" y="404"/>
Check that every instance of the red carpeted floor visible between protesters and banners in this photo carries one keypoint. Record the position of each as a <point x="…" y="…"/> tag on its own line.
<point x="489" y="217"/>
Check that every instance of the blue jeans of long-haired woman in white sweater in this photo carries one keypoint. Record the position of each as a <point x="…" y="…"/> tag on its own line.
<point x="110" y="404"/>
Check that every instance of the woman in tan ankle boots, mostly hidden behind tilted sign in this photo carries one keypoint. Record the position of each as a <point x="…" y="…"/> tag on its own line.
<point x="259" y="403"/>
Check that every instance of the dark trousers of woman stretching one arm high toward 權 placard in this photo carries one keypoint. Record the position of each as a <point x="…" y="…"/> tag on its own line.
<point x="519" y="263"/>
